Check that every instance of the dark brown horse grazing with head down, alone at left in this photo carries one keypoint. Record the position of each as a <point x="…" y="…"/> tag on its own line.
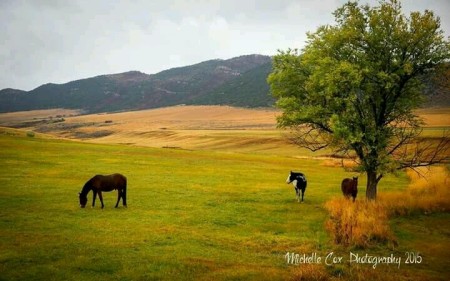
<point x="101" y="183"/>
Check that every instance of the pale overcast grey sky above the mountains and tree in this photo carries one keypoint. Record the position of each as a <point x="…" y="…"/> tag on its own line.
<point x="57" y="41"/>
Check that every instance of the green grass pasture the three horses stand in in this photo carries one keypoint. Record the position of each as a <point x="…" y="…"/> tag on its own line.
<point x="192" y="215"/>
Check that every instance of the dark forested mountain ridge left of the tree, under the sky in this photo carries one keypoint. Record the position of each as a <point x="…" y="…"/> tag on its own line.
<point x="195" y="84"/>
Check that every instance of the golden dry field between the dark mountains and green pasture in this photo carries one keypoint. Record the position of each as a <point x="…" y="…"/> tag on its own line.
<point x="186" y="127"/>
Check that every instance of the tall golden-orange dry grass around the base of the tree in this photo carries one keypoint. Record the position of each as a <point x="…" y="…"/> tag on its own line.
<point x="363" y="223"/>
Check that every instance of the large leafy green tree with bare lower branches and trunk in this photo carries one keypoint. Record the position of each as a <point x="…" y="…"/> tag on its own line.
<point x="354" y="86"/>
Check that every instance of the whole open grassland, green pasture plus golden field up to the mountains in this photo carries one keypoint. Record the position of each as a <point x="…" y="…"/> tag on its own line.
<point x="207" y="199"/>
